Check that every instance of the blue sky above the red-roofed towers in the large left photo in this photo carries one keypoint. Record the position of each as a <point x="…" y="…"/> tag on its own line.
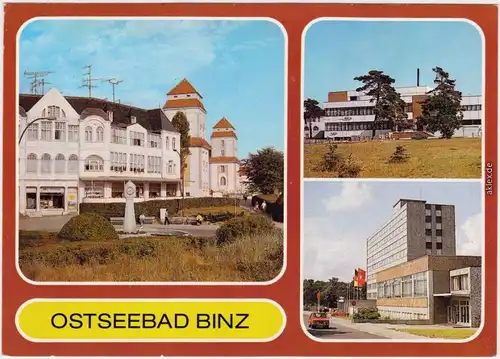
<point x="237" y="66"/>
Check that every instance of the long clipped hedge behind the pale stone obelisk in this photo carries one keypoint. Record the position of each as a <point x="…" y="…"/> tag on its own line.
<point x="151" y="208"/>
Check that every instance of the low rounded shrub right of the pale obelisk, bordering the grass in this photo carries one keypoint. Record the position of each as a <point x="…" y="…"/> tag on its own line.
<point x="248" y="226"/>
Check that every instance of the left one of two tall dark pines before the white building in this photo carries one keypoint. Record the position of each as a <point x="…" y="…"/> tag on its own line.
<point x="389" y="106"/>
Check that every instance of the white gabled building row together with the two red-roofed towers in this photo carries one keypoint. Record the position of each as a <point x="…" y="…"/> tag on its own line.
<point x="85" y="149"/>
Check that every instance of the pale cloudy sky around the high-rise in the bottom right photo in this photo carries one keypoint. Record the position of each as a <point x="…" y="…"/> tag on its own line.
<point x="340" y="216"/>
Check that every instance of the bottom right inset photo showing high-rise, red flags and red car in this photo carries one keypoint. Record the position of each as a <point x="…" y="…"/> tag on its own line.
<point x="392" y="260"/>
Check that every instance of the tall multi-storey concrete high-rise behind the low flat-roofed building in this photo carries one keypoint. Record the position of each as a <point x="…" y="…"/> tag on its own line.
<point x="415" y="229"/>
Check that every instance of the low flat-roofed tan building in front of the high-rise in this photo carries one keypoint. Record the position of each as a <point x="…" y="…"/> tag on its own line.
<point x="432" y="289"/>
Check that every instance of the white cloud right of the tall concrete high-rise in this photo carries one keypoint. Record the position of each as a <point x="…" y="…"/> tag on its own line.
<point x="470" y="237"/>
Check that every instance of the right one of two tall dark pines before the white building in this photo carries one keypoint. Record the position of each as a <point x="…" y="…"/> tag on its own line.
<point x="442" y="110"/>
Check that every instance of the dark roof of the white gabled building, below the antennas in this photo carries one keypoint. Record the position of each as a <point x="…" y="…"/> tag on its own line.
<point x="152" y="120"/>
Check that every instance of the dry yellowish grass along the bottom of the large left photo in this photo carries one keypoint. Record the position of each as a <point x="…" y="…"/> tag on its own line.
<point x="43" y="257"/>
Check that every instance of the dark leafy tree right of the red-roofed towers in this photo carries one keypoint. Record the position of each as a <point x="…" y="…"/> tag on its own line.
<point x="265" y="171"/>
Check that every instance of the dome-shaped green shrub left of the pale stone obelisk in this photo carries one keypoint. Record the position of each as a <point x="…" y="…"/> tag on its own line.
<point x="88" y="226"/>
